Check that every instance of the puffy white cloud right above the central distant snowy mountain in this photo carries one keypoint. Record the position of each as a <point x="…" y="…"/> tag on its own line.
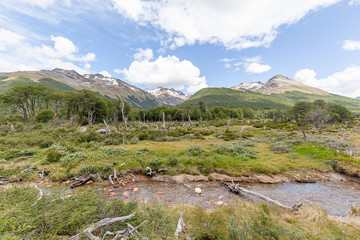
<point x="167" y="72"/>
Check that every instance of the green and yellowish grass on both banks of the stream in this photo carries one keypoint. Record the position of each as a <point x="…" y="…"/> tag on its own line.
<point x="77" y="153"/>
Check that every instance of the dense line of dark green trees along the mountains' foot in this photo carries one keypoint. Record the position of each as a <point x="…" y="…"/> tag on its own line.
<point x="87" y="107"/>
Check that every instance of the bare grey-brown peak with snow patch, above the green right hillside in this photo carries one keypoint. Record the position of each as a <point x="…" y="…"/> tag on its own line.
<point x="279" y="84"/>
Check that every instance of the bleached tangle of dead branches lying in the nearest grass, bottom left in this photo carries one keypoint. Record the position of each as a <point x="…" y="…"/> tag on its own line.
<point x="129" y="231"/>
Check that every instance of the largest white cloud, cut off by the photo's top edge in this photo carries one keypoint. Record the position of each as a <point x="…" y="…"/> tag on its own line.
<point x="236" y="24"/>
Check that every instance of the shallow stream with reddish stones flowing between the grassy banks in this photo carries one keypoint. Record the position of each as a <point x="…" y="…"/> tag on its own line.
<point x="336" y="198"/>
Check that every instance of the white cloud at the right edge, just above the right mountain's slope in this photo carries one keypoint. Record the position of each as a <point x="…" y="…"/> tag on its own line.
<point x="346" y="82"/>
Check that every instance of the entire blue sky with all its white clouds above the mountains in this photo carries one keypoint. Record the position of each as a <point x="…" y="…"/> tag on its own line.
<point x="187" y="44"/>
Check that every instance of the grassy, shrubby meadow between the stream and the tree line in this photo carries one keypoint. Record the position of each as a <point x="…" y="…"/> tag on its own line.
<point x="254" y="155"/>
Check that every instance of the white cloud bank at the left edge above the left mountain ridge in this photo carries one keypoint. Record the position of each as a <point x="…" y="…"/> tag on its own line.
<point x="21" y="55"/>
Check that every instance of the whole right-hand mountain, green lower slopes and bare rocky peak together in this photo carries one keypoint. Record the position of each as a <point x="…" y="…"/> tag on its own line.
<point x="278" y="93"/>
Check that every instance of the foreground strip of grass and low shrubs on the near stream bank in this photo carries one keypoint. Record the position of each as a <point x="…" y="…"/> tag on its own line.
<point x="53" y="218"/>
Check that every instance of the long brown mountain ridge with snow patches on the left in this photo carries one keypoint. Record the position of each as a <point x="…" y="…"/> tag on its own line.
<point x="70" y="80"/>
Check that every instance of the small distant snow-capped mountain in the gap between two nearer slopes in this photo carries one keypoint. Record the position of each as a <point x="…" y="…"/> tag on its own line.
<point x="168" y="96"/>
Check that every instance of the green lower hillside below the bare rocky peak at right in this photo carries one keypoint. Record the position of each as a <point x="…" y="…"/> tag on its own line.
<point x="226" y="97"/>
